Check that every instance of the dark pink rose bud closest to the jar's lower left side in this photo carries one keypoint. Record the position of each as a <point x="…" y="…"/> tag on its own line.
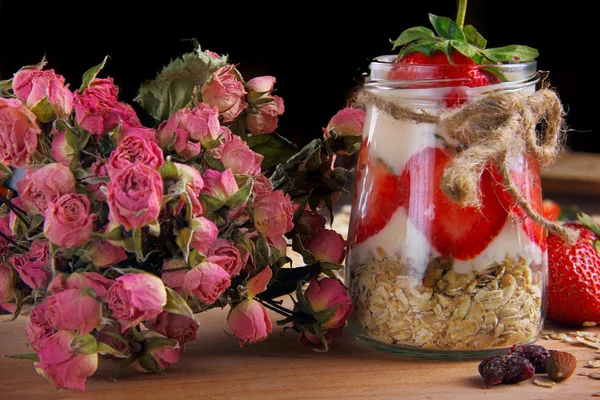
<point x="329" y="293"/>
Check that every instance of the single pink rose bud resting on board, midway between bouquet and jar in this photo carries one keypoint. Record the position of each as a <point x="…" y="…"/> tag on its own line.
<point x="249" y="321"/>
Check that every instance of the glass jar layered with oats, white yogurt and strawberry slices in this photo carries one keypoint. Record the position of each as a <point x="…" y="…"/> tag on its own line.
<point x="429" y="276"/>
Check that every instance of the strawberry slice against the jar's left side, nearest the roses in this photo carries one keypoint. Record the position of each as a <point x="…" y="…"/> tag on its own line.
<point x="381" y="193"/>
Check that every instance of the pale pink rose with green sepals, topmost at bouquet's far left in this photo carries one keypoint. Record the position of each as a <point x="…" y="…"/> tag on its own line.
<point x="44" y="92"/>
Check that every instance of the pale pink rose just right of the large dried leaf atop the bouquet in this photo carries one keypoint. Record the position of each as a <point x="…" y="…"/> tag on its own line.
<point x="226" y="93"/>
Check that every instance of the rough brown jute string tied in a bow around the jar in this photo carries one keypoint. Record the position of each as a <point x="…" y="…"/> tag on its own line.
<point x="490" y="129"/>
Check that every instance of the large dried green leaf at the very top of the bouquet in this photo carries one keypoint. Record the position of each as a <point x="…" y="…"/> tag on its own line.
<point x="172" y="88"/>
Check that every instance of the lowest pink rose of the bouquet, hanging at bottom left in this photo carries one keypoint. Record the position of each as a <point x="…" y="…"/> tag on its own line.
<point x="66" y="368"/>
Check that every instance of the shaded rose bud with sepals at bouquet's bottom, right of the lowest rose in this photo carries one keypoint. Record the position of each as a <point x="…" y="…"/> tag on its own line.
<point x="157" y="357"/>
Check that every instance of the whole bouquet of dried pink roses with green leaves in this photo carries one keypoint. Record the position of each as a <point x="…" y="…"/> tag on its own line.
<point x="121" y="232"/>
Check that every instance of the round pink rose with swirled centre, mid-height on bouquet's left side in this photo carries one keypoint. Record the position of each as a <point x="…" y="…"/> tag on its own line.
<point x="68" y="221"/>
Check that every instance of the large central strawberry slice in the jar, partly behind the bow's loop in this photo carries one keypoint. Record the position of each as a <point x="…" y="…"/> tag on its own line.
<point x="454" y="230"/>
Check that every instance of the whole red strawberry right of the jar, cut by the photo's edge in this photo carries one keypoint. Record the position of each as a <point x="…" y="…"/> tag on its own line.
<point x="574" y="281"/>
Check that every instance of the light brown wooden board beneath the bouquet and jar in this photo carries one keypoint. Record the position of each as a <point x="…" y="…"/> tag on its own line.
<point x="215" y="367"/>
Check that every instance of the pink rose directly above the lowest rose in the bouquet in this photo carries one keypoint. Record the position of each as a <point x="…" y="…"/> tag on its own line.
<point x="74" y="310"/>
